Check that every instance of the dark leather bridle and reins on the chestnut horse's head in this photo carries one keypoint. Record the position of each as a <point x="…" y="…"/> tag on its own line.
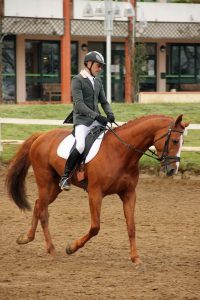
<point x="164" y="158"/>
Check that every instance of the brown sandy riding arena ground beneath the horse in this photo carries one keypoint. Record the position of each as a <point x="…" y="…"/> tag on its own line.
<point x="168" y="239"/>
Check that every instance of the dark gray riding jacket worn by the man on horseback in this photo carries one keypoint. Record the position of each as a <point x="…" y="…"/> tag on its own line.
<point x="86" y="99"/>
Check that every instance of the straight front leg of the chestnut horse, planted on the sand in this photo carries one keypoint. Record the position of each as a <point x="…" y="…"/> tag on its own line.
<point x="129" y="199"/>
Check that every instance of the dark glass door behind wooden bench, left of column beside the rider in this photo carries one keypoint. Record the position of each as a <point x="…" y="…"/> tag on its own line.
<point x="42" y="69"/>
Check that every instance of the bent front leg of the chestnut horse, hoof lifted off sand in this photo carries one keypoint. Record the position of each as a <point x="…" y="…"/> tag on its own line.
<point x="95" y="201"/>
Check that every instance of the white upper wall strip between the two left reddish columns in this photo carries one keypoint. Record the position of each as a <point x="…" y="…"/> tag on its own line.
<point x="34" y="8"/>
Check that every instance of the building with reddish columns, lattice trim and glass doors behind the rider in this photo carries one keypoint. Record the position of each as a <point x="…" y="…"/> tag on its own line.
<point x="44" y="43"/>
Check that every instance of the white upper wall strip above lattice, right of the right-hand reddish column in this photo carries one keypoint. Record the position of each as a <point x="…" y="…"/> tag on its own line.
<point x="168" y="12"/>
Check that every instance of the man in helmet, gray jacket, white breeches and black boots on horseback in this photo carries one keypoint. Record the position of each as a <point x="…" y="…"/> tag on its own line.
<point x="87" y="91"/>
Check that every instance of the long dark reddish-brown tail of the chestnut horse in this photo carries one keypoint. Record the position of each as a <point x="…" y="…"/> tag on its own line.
<point x="17" y="171"/>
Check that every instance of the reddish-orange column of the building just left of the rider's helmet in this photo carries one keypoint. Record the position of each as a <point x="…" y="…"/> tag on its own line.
<point x="66" y="55"/>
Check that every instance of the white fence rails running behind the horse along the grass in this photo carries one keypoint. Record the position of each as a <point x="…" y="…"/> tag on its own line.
<point x="60" y="123"/>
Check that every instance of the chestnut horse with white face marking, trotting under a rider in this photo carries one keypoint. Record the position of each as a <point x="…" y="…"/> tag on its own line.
<point x="114" y="170"/>
